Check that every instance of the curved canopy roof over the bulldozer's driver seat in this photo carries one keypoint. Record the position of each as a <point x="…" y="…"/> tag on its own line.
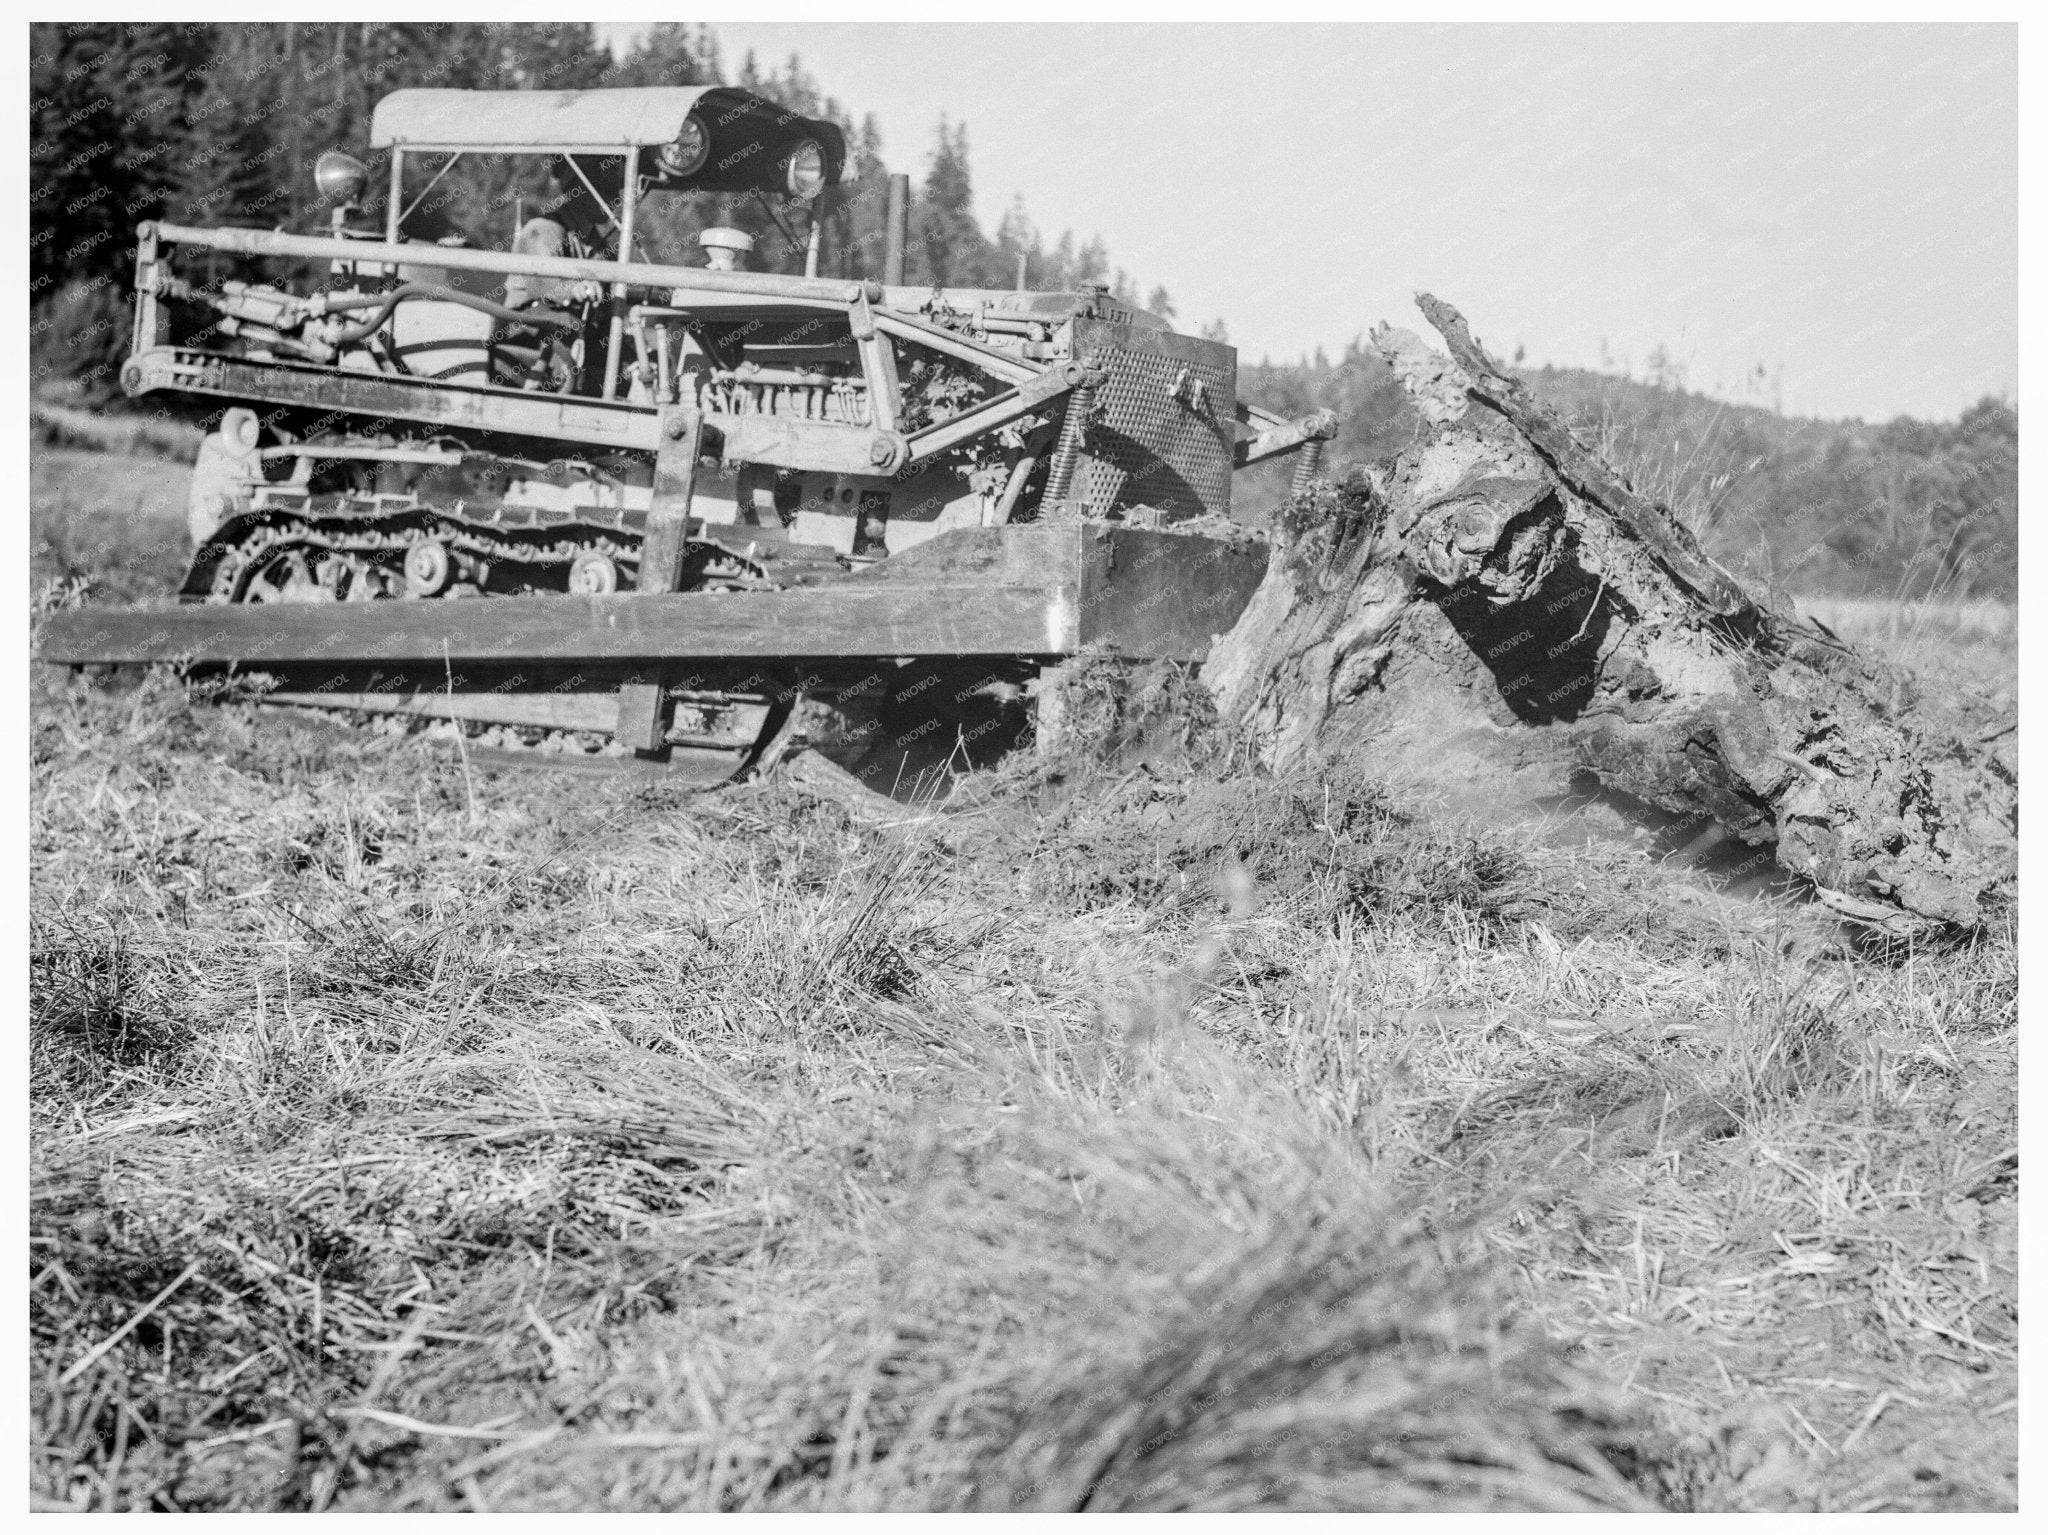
<point x="749" y="136"/>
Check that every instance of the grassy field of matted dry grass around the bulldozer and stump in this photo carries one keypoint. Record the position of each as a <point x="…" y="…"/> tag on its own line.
<point x="1113" y="1135"/>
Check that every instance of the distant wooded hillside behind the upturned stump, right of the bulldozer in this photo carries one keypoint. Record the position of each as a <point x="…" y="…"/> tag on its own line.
<point x="1906" y="509"/>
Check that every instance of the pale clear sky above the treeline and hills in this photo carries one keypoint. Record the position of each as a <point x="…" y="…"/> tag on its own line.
<point x="1820" y="218"/>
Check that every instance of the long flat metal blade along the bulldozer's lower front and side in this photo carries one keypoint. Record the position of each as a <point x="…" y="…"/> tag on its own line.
<point x="1031" y="593"/>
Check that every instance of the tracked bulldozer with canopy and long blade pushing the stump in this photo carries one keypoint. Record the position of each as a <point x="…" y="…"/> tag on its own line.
<point x="583" y="494"/>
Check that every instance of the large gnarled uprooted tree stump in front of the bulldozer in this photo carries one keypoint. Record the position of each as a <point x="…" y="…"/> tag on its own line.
<point x="1502" y="597"/>
